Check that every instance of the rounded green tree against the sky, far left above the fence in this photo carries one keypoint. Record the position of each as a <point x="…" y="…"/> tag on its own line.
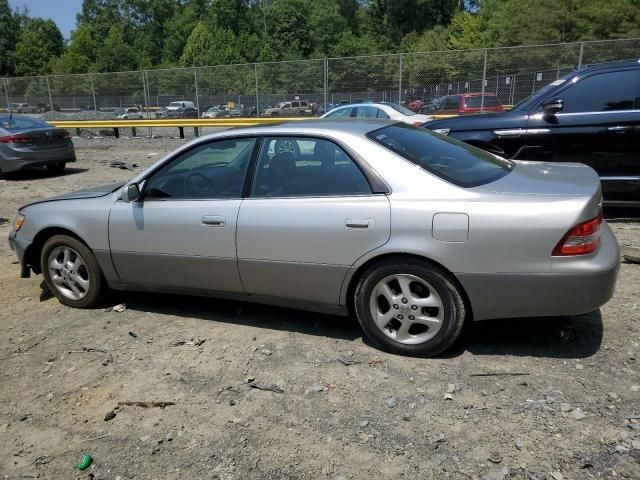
<point x="38" y="41"/>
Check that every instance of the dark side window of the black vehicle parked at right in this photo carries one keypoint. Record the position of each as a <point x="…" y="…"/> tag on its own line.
<point x="600" y="93"/>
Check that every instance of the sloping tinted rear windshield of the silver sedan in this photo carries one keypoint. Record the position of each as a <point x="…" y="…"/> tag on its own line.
<point x="445" y="157"/>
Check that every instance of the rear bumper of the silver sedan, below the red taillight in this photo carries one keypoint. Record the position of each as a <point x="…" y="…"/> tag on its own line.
<point x="575" y="286"/>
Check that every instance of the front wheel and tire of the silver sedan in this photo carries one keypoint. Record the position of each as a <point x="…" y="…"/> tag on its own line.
<point x="79" y="281"/>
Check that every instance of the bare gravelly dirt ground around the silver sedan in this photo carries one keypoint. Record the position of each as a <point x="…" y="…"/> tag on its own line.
<point x="522" y="399"/>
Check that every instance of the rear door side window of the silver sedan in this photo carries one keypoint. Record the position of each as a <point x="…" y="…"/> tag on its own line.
<point x="303" y="167"/>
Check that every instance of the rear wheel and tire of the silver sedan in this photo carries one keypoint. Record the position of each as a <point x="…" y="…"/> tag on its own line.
<point x="420" y="313"/>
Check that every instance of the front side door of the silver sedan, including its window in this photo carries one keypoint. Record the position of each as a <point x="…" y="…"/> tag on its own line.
<point x="181" y="235"/>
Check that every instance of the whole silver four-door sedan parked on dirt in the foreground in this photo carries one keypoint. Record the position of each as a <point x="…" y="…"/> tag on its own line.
<point x="413" y="232"/>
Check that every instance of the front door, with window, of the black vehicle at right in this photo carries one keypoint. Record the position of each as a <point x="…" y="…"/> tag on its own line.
<point x="599" y="125"/>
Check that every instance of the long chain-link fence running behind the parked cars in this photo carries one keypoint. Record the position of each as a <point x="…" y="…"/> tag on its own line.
<point x="511" y="73"/>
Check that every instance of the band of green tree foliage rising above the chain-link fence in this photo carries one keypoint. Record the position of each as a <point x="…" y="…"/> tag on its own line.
<point x="119" y="35"/>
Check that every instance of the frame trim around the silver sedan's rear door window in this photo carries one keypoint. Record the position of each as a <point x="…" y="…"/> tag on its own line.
<point x="377" y="185"/>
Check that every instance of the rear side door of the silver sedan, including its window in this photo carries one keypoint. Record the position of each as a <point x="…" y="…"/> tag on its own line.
<point x="310" y="216"/>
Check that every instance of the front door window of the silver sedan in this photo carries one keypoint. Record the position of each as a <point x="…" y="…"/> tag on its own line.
<point x="213" y="170"/>
